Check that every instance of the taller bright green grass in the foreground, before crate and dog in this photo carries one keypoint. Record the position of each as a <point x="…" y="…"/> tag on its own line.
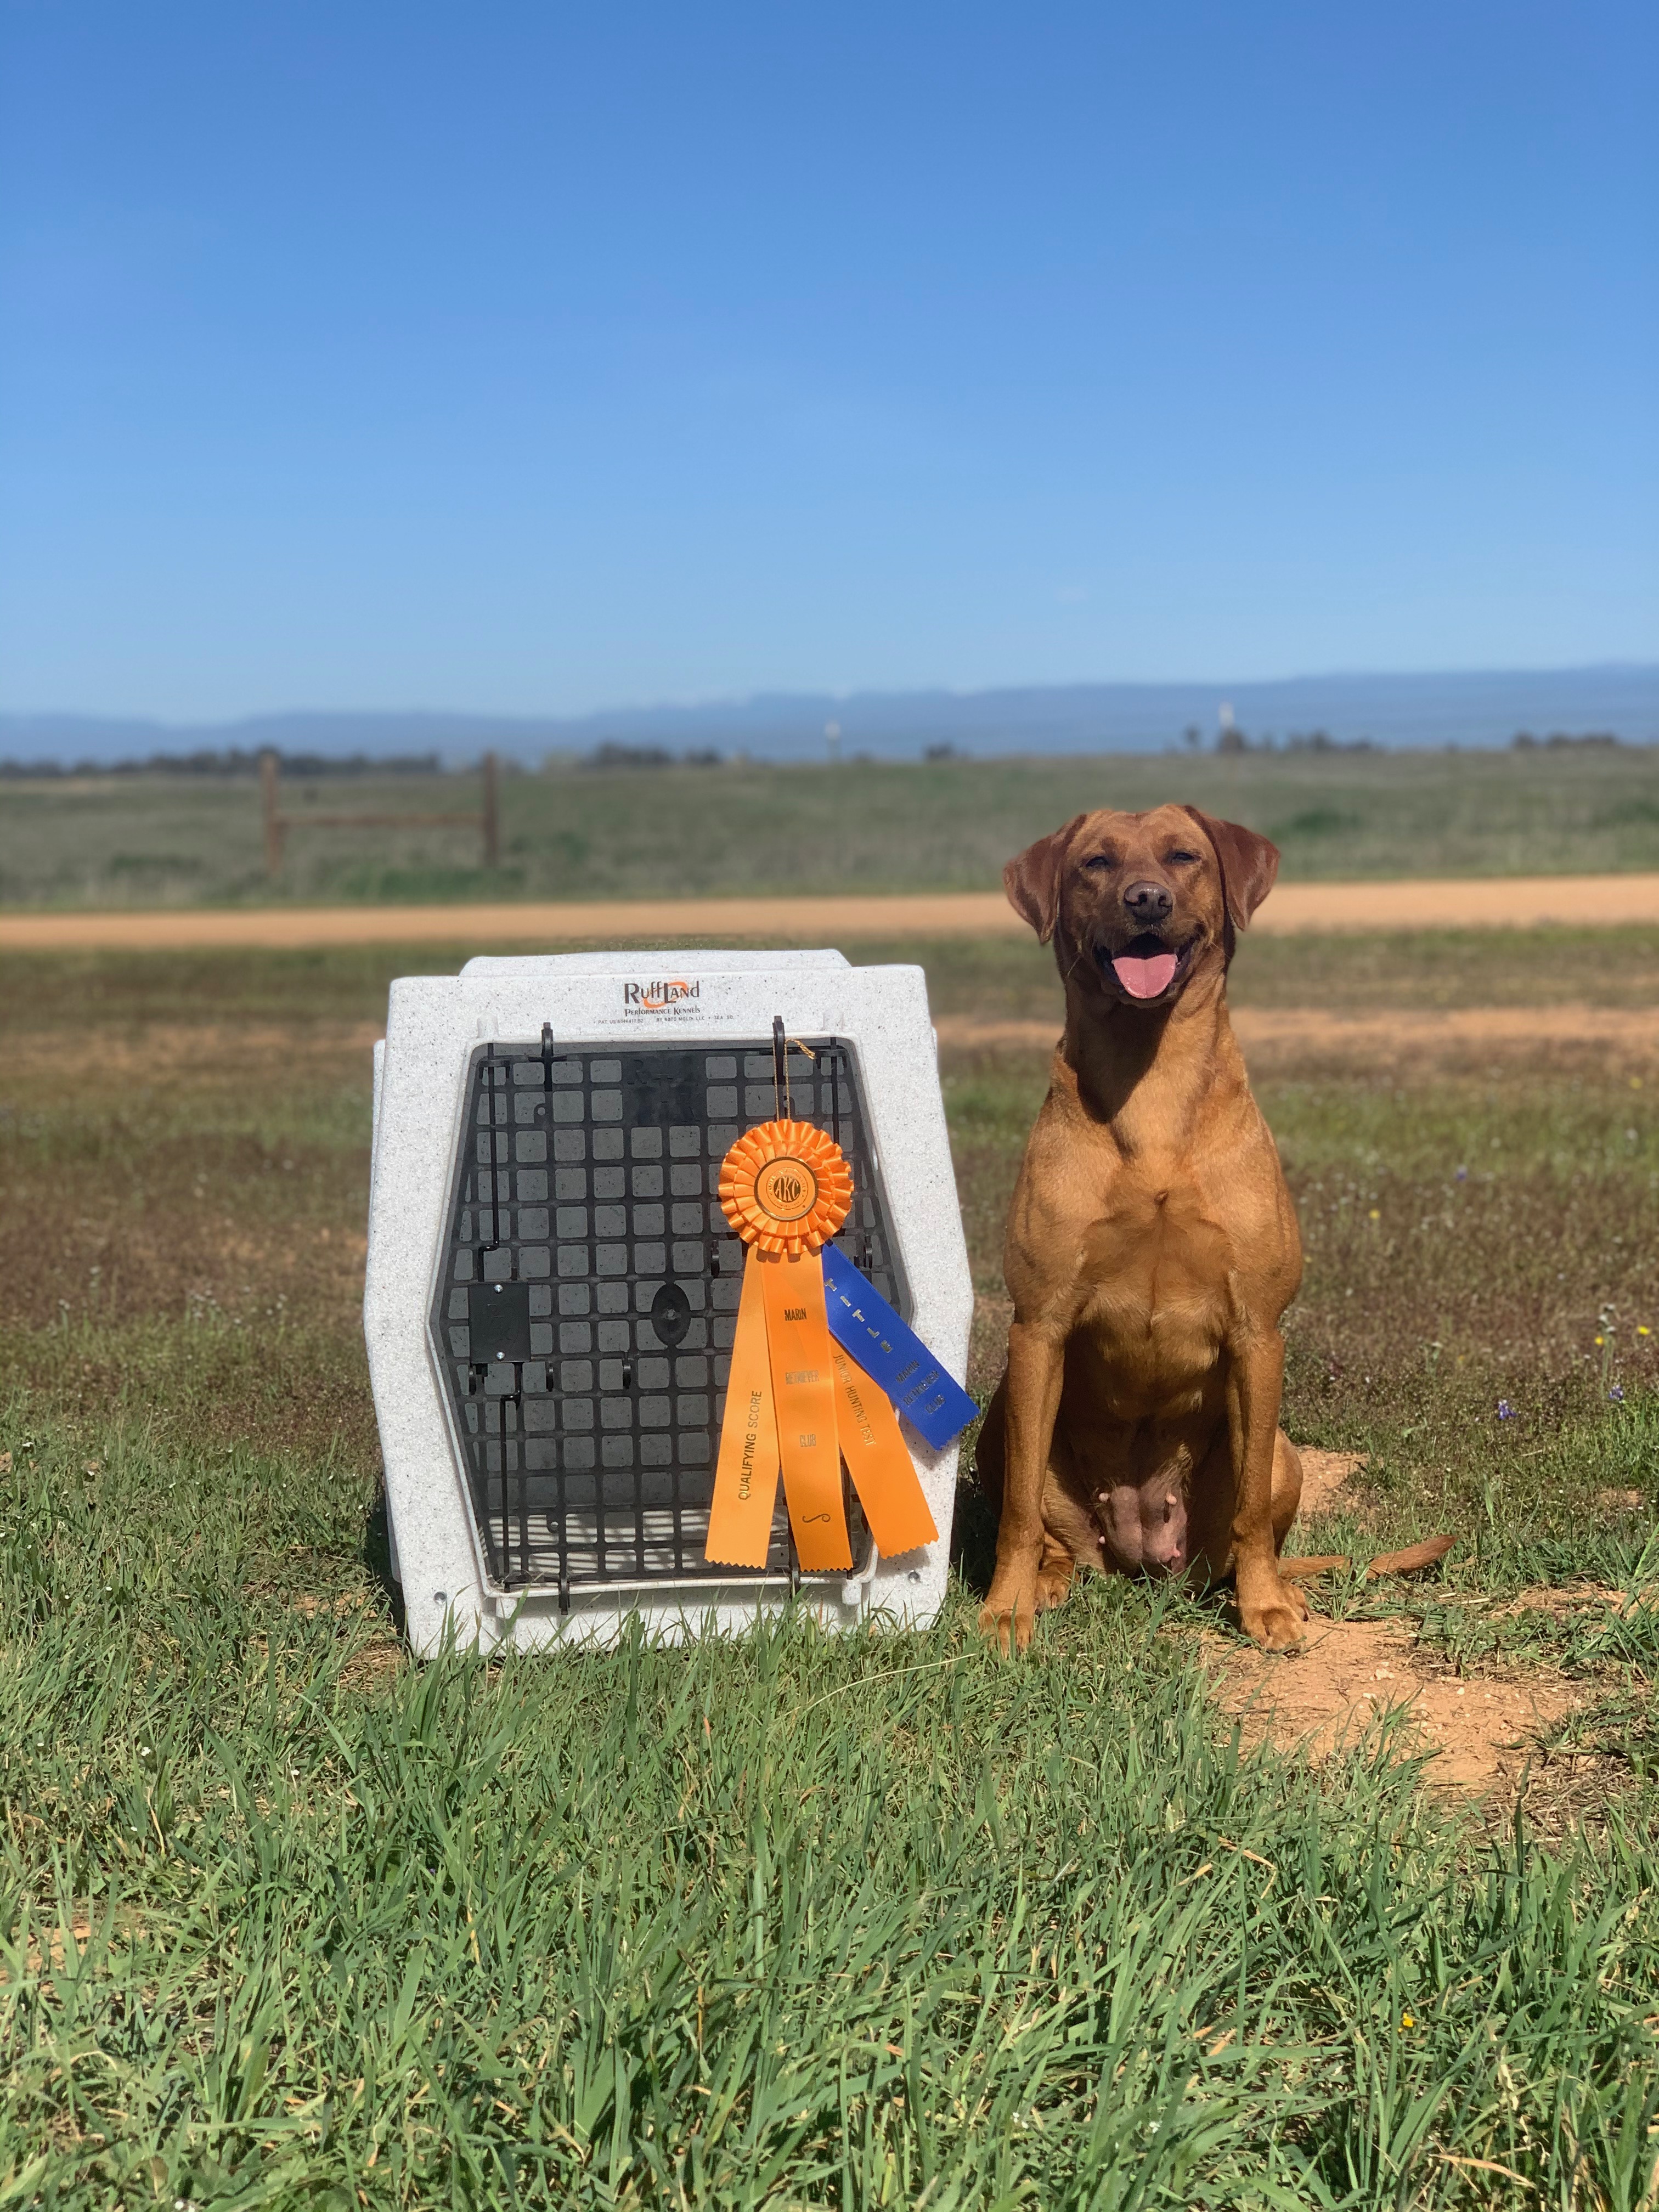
<point x="797" y="1921"/>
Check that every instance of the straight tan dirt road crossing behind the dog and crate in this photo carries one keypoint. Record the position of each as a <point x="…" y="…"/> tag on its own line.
<point x="1295" y="908"/>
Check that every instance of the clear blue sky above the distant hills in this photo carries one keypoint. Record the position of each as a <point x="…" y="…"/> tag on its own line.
<point x="532" y="357"/>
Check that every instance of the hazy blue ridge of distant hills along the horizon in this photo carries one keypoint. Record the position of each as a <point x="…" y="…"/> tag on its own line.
<point x="1397" y="711"/>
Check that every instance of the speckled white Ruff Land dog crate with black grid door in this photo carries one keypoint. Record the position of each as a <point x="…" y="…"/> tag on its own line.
<point x="552" y="1286"/>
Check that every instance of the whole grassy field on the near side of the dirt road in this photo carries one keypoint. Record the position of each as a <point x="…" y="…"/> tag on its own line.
<point x="804" y="1921"/>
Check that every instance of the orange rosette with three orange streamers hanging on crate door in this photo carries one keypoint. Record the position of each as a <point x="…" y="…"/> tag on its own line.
<point x="795" y="1401"/>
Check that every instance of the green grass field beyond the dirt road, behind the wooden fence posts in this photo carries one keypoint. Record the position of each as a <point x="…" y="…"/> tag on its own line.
<point x="138" y="842"/>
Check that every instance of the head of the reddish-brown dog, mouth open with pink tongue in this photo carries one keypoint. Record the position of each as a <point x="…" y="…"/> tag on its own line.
<point x="1140" y="901"/>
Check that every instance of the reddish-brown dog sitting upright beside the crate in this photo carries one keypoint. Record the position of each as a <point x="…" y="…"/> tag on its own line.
<point x="1151" y="1242"/>
